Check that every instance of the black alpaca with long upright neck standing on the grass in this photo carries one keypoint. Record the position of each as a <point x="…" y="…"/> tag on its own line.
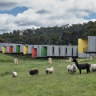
<point x="82" y="66"/>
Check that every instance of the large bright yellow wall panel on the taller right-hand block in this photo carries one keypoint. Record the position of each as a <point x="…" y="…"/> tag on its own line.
<point x="82" y="45"/>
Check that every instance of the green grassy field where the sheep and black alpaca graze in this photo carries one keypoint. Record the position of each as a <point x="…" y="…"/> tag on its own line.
<point x="60" y="83"/>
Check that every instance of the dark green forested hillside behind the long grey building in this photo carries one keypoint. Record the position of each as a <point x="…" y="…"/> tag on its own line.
<point x="63" y="35"/>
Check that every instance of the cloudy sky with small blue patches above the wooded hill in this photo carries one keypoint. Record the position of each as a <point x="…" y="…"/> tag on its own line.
<point x="22" y="14"/>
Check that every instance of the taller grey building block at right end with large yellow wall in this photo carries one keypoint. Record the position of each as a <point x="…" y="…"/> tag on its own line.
<point x="87" y="47"/>
